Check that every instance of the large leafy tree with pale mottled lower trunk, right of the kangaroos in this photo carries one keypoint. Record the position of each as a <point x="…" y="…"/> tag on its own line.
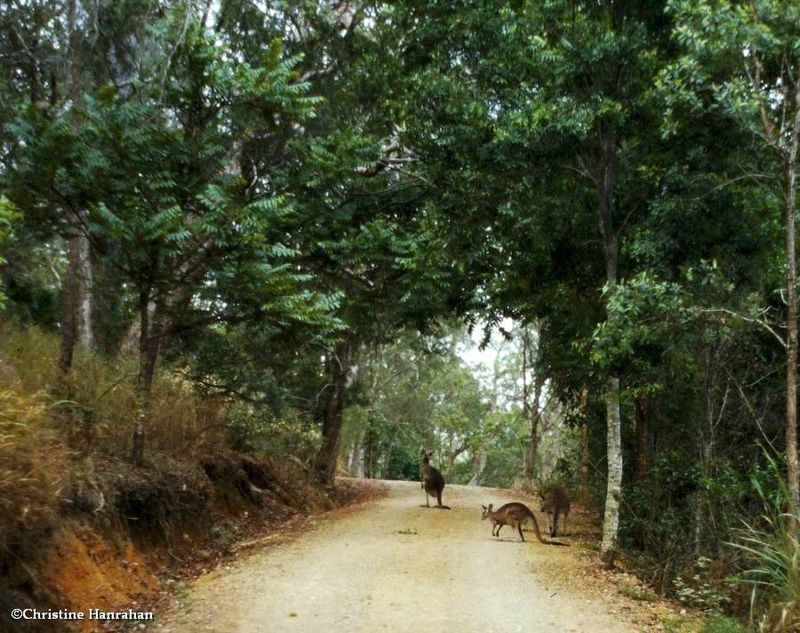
<point x="538" y="137"/>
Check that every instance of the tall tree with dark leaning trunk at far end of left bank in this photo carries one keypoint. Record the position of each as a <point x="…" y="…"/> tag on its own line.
<point x="362" y="226"/>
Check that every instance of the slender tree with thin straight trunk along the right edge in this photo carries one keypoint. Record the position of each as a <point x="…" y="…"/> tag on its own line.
<point x="742" y="59"/>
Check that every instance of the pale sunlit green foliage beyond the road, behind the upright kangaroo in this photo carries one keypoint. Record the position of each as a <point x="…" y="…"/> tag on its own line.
<point x="410" y="396"/>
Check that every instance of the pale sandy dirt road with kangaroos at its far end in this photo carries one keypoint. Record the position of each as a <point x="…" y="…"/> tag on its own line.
<point x="394" y="566"/>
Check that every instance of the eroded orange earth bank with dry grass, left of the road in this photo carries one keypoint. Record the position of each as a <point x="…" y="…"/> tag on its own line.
<point x="78" y="524"/>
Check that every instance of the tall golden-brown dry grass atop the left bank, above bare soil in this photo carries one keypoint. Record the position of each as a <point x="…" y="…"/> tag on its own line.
<point x="52" y="431"/>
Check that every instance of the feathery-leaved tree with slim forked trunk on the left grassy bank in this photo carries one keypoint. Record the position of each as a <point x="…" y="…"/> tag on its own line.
<point x="155" y="166"/>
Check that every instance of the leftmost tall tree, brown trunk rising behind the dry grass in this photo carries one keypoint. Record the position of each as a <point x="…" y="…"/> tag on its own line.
<point x="63" y="50"/>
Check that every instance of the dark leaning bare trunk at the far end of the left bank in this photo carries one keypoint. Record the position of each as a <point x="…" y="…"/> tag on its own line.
<point x="338" y="369"/>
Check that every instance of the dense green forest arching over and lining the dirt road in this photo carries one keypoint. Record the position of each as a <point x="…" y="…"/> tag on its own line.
<point x="281" y="227"/>
